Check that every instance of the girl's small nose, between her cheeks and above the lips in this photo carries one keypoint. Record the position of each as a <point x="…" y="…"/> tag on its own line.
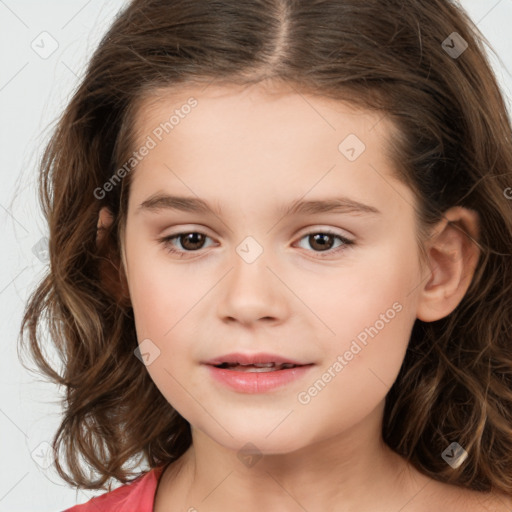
<point x="252" y="292"/>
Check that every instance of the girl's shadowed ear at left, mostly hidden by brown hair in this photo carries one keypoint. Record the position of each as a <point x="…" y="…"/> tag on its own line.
<point x="111" y="272"/>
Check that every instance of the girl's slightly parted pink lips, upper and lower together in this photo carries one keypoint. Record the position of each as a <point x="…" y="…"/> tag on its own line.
<point x="256" y="382"/>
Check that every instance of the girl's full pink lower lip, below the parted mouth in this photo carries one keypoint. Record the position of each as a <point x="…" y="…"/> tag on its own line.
<point x="257" y="382"/>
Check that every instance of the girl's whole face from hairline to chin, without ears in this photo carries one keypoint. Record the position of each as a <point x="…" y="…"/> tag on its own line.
<point x="256" y="276"/>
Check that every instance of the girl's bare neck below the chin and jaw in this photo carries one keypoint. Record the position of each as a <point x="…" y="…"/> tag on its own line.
<point x="354" y="470"/>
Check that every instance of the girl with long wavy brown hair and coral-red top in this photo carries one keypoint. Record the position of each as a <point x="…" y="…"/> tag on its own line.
<point x="280" y="239"/>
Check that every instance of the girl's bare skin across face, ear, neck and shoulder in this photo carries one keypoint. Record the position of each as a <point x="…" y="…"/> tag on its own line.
<point x="251" y="150"/>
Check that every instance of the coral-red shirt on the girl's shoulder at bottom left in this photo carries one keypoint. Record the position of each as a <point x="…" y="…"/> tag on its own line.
<point x="137" y="496"/>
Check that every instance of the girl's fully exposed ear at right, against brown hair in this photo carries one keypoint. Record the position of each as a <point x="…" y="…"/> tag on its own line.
<point x="452" y="260"/>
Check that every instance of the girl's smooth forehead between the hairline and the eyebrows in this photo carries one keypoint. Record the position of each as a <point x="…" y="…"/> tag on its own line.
<point x="263" y="140"/>
